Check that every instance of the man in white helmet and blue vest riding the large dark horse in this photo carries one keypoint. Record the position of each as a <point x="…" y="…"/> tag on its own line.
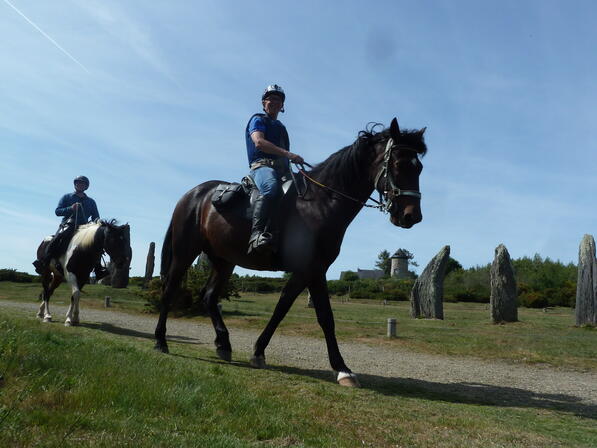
<point x="267" y="151"/>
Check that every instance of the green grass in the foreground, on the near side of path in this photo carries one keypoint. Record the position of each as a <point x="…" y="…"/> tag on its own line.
<point x="80" y="387"/>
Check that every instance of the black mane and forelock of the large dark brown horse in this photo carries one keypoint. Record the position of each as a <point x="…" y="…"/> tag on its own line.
<point x="344" y="164"/>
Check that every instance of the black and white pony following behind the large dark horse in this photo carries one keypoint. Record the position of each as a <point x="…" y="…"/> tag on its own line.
<point x="84" y="251"/>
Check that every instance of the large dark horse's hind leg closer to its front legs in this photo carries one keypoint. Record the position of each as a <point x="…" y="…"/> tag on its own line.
<point x="218" y="278"/>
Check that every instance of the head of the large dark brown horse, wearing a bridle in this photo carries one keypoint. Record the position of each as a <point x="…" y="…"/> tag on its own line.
<point x="398" y="170"/>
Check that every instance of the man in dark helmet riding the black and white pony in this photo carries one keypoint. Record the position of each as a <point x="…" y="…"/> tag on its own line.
<point x="76" y="208"/>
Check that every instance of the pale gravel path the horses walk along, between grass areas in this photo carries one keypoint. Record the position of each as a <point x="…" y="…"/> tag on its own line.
<point x="391" y="371"/>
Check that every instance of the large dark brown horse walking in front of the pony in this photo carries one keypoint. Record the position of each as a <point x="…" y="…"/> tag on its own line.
<point x="311" y="227"/>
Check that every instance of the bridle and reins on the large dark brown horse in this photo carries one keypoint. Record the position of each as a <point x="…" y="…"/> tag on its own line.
<point x="387" y="194"/>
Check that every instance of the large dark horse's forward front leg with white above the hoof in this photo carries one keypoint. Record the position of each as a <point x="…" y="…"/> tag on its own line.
<point x="325" y="318"/>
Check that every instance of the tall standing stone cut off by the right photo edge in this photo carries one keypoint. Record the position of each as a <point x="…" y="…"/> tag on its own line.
<point x="586" y="285"/>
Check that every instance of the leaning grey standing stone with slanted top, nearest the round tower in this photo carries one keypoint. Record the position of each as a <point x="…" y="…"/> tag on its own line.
<point x="426" y="297"/>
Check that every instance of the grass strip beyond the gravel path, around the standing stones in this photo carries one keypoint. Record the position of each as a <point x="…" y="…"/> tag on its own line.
<point x="539" y="337"/>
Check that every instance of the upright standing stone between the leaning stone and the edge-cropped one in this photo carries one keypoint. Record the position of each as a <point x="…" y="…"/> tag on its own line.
<point x="502" y="301"/>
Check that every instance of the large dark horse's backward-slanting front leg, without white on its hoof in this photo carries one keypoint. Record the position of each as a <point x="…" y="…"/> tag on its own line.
<point x="295" y="285"/>
